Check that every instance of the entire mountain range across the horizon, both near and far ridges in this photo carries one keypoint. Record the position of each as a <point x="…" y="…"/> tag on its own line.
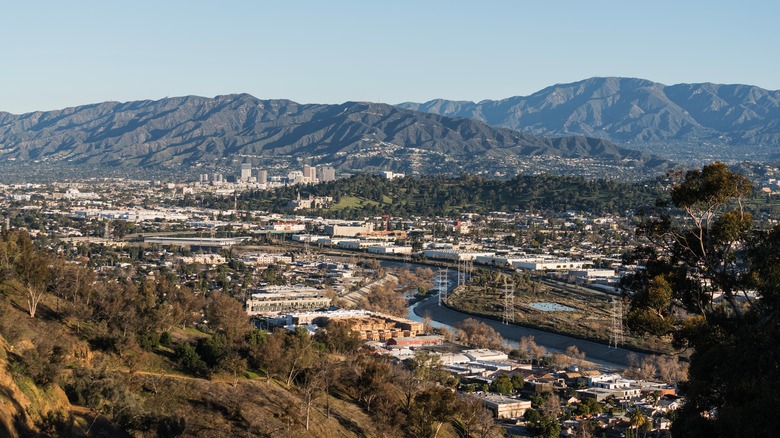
<point x="596" y="126"/>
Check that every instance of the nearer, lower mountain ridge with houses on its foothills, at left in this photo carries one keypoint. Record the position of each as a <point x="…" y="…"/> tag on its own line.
<point x="193" y="132"/>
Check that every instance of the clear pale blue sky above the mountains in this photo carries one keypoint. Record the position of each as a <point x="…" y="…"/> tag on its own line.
<point x="57" y="54"/>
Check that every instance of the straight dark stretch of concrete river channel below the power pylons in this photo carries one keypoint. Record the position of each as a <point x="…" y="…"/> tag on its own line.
<point x="615" y="358"/>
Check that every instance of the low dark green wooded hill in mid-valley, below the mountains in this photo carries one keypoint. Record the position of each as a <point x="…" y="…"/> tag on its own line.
<point x="363" y="195"/>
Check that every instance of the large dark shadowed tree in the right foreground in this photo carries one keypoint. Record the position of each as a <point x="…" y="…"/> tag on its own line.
<point x="712" y="283"/>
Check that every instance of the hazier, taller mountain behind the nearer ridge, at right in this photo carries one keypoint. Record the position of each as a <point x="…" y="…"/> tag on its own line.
<point x="634" y="112"/>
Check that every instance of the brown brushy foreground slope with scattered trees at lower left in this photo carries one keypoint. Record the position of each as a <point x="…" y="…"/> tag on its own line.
<point x="130" y="360"/>
